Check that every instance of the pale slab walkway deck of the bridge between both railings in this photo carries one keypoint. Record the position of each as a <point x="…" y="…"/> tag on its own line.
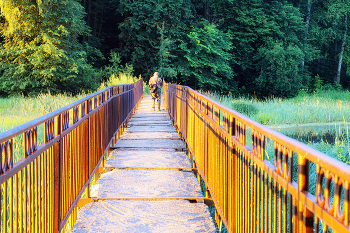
<point x="148" y="184"/>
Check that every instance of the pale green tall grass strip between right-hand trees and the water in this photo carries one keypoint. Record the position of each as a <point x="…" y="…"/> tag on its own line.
<point x="319" y="107"/>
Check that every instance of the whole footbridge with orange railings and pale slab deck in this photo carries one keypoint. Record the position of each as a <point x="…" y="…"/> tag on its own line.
<point x="109" y="163"/>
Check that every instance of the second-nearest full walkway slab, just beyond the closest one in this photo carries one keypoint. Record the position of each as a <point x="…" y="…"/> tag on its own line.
<point x="123" y="183"/>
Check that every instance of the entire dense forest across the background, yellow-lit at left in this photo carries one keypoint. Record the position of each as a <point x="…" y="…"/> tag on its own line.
<point x="260" y="47"/>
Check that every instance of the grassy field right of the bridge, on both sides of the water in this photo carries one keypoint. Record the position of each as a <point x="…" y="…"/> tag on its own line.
<point x="324" y="107"/>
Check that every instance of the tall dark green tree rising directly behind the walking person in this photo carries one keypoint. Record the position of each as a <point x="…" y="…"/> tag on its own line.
<point x="140" y="35"/>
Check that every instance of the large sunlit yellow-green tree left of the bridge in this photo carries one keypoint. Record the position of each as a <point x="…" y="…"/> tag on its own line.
<point x="41" y="51"/>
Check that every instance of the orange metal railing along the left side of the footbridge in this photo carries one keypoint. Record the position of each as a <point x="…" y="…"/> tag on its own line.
<point x="47" y="164"/>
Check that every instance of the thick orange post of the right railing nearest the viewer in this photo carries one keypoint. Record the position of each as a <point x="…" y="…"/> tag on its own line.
<point x="305" y="217"/>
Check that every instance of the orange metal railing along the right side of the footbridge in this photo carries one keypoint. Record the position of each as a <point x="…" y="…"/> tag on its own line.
<point x="259" y="179"/>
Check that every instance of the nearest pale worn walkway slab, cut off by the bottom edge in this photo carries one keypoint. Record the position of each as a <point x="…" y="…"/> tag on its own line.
<point x="144" y="216"/>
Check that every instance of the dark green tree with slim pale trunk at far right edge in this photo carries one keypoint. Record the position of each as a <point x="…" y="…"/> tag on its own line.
<point x="328" y="33"/>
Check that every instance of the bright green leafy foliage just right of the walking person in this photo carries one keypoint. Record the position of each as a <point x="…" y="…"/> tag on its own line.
<point x="207" y="52"/>
